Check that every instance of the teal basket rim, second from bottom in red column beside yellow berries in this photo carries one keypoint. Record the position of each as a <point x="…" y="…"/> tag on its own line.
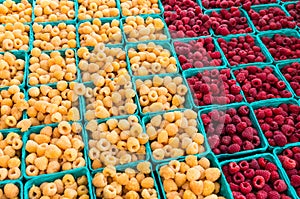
<point x="263" y="142"/>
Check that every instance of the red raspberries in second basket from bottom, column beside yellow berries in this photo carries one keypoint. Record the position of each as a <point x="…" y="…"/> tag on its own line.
<point x="230" y="131"/>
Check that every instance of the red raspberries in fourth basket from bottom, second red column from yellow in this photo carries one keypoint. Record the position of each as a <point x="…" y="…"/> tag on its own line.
<point x="241" y="50"/>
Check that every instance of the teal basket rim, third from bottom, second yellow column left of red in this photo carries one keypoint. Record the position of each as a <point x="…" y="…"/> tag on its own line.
<point x="84" y="104"/>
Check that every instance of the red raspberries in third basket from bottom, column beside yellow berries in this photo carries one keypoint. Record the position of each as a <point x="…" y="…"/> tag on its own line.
<point x="214" y="87"/>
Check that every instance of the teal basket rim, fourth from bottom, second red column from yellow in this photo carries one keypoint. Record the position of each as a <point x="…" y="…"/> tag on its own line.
<point x="257" y="43"/>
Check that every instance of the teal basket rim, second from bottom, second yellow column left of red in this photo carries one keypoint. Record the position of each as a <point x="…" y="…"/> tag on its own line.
<point x="87" y="138"/>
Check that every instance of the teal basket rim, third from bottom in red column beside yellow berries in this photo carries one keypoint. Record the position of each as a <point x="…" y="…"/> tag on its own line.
<point x="193" y="72"/>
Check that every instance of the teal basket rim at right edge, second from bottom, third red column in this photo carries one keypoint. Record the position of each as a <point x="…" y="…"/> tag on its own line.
<point x="270" y="34"/>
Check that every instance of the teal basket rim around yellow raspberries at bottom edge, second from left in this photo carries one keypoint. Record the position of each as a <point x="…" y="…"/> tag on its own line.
<point x="52" y="177"/>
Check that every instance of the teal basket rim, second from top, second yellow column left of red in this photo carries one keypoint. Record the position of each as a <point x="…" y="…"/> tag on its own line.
<point x="103" y="21"/>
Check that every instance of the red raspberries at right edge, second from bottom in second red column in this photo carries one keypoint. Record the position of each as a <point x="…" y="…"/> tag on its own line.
<point x="280" y="125"/>
